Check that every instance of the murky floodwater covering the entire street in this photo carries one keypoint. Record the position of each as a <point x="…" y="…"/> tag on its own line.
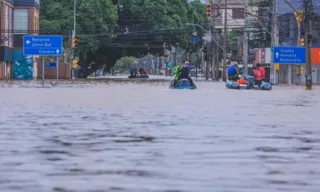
<point x="146" y="137"/>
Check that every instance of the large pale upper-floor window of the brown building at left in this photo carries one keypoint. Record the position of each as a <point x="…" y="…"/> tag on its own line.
<point x="20" y="21"/>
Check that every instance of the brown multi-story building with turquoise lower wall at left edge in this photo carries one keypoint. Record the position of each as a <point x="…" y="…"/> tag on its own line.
<point x="18" y="18"/>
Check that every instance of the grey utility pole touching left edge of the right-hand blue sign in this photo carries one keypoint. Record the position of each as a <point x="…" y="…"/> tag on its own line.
<point x="275" y="41"/>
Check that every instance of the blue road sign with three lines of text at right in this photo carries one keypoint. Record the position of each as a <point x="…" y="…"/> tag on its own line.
<point x="289" y="55"/>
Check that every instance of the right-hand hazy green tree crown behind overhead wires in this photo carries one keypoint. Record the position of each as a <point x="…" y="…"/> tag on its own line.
<point x="164" y="22"/>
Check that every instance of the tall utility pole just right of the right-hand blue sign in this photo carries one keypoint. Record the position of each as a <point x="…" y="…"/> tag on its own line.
<point x="308" y="37"/>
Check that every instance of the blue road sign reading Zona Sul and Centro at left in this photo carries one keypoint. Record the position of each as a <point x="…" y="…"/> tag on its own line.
<point x="42" y="45"/>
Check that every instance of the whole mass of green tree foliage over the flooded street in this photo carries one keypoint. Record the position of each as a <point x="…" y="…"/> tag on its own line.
<point x="107" y="31"/>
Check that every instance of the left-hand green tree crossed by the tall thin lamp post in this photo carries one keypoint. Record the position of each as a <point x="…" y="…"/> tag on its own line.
<point x="95" y="18"/>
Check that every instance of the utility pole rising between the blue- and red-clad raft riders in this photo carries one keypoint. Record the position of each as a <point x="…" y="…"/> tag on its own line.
<point x="245" y="41"/>
